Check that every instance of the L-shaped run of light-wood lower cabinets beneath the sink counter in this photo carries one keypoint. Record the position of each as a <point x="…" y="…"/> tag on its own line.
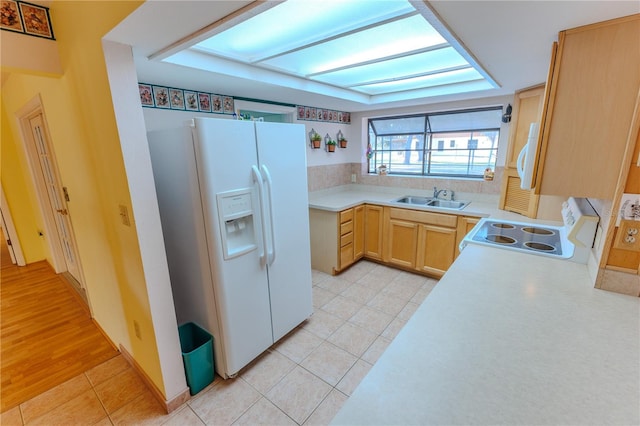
<point x="416" y="240"/>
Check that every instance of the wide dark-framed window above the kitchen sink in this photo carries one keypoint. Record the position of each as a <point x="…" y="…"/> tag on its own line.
<point x="415" y="145"/>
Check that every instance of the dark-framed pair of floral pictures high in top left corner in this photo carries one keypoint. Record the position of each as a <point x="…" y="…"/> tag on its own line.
<point x="25" y="18"/>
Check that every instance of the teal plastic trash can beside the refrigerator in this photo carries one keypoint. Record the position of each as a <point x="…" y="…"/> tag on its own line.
<point x="197" y="356"/>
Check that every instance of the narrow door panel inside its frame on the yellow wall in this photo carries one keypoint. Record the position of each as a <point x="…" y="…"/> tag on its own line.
<point x="57" y="202"/>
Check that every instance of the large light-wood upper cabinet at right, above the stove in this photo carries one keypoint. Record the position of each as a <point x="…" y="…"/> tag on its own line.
<point x="588" y="109"/>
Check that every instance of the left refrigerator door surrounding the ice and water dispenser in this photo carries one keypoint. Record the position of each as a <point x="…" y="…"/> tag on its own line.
<point x="225" y="154"/>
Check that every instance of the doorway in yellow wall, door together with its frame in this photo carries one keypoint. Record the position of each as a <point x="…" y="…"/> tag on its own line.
<point x="51" y="195"/>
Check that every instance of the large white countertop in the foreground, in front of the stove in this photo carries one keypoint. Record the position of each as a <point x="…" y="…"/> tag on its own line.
<point x="508" y="338"/>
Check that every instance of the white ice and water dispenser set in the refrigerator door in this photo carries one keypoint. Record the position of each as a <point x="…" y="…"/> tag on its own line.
<point x="235" y="213"/>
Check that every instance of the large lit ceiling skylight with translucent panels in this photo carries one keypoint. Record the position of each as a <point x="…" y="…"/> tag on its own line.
<point x="369" y="48"/>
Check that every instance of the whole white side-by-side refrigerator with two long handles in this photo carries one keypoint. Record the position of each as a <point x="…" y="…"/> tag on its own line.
<point x="234" y="209"/>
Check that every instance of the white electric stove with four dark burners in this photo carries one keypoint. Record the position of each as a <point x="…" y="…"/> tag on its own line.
<point x="572" y="241"/>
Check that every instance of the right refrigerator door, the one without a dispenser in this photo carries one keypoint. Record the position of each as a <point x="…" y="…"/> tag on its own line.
<point x="282" y="153"/>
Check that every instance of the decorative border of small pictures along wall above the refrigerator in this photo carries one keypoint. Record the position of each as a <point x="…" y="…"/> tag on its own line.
<point x="165" y="97"/>
